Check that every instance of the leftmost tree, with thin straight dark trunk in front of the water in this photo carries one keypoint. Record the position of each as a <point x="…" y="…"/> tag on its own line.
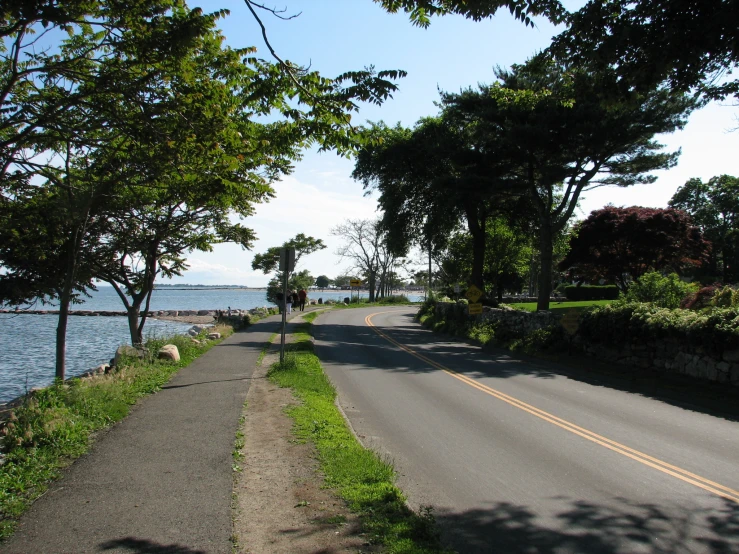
<point x="51" y="121"/>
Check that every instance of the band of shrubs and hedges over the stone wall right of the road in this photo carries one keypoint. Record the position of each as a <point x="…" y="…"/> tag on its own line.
<point x="656" y="307"/>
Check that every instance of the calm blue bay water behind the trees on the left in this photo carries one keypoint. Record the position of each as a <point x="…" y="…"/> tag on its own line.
<point x="27" y="341"/>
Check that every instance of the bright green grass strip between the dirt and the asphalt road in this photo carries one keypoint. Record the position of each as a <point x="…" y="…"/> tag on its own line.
<point x="360" y="477"/>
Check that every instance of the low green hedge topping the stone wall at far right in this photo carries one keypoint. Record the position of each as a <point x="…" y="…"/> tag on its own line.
<point x="715" y="330"/>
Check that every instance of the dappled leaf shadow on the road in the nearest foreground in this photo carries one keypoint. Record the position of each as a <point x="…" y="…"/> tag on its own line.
<point x="618" y="528"/>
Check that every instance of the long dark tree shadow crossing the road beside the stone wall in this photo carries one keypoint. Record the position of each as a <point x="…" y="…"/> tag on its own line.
<point x="477" y="362"/>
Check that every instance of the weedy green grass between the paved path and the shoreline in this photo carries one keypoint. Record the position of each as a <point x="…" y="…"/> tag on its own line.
<point x="54" y="426"/>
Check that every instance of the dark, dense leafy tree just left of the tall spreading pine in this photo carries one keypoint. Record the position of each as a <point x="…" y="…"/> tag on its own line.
<point x="434" y="176"/>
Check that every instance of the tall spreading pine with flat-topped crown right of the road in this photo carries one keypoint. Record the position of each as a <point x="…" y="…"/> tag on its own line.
<point x="569" y="132"/>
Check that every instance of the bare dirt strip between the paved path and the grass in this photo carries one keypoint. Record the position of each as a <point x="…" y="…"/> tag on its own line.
<point x="280" y="505"/>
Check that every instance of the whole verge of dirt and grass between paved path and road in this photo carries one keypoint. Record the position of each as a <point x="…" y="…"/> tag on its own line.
<point x="307" y="484"/>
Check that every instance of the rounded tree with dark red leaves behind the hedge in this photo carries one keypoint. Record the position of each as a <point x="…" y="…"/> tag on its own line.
<point x="621" y="244"/>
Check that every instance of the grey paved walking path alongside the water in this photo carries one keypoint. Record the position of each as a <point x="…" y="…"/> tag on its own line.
<point x="161" y="480"/>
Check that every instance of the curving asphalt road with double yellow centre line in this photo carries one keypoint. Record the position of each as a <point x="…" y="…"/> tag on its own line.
<point x="515" y="456"/>
